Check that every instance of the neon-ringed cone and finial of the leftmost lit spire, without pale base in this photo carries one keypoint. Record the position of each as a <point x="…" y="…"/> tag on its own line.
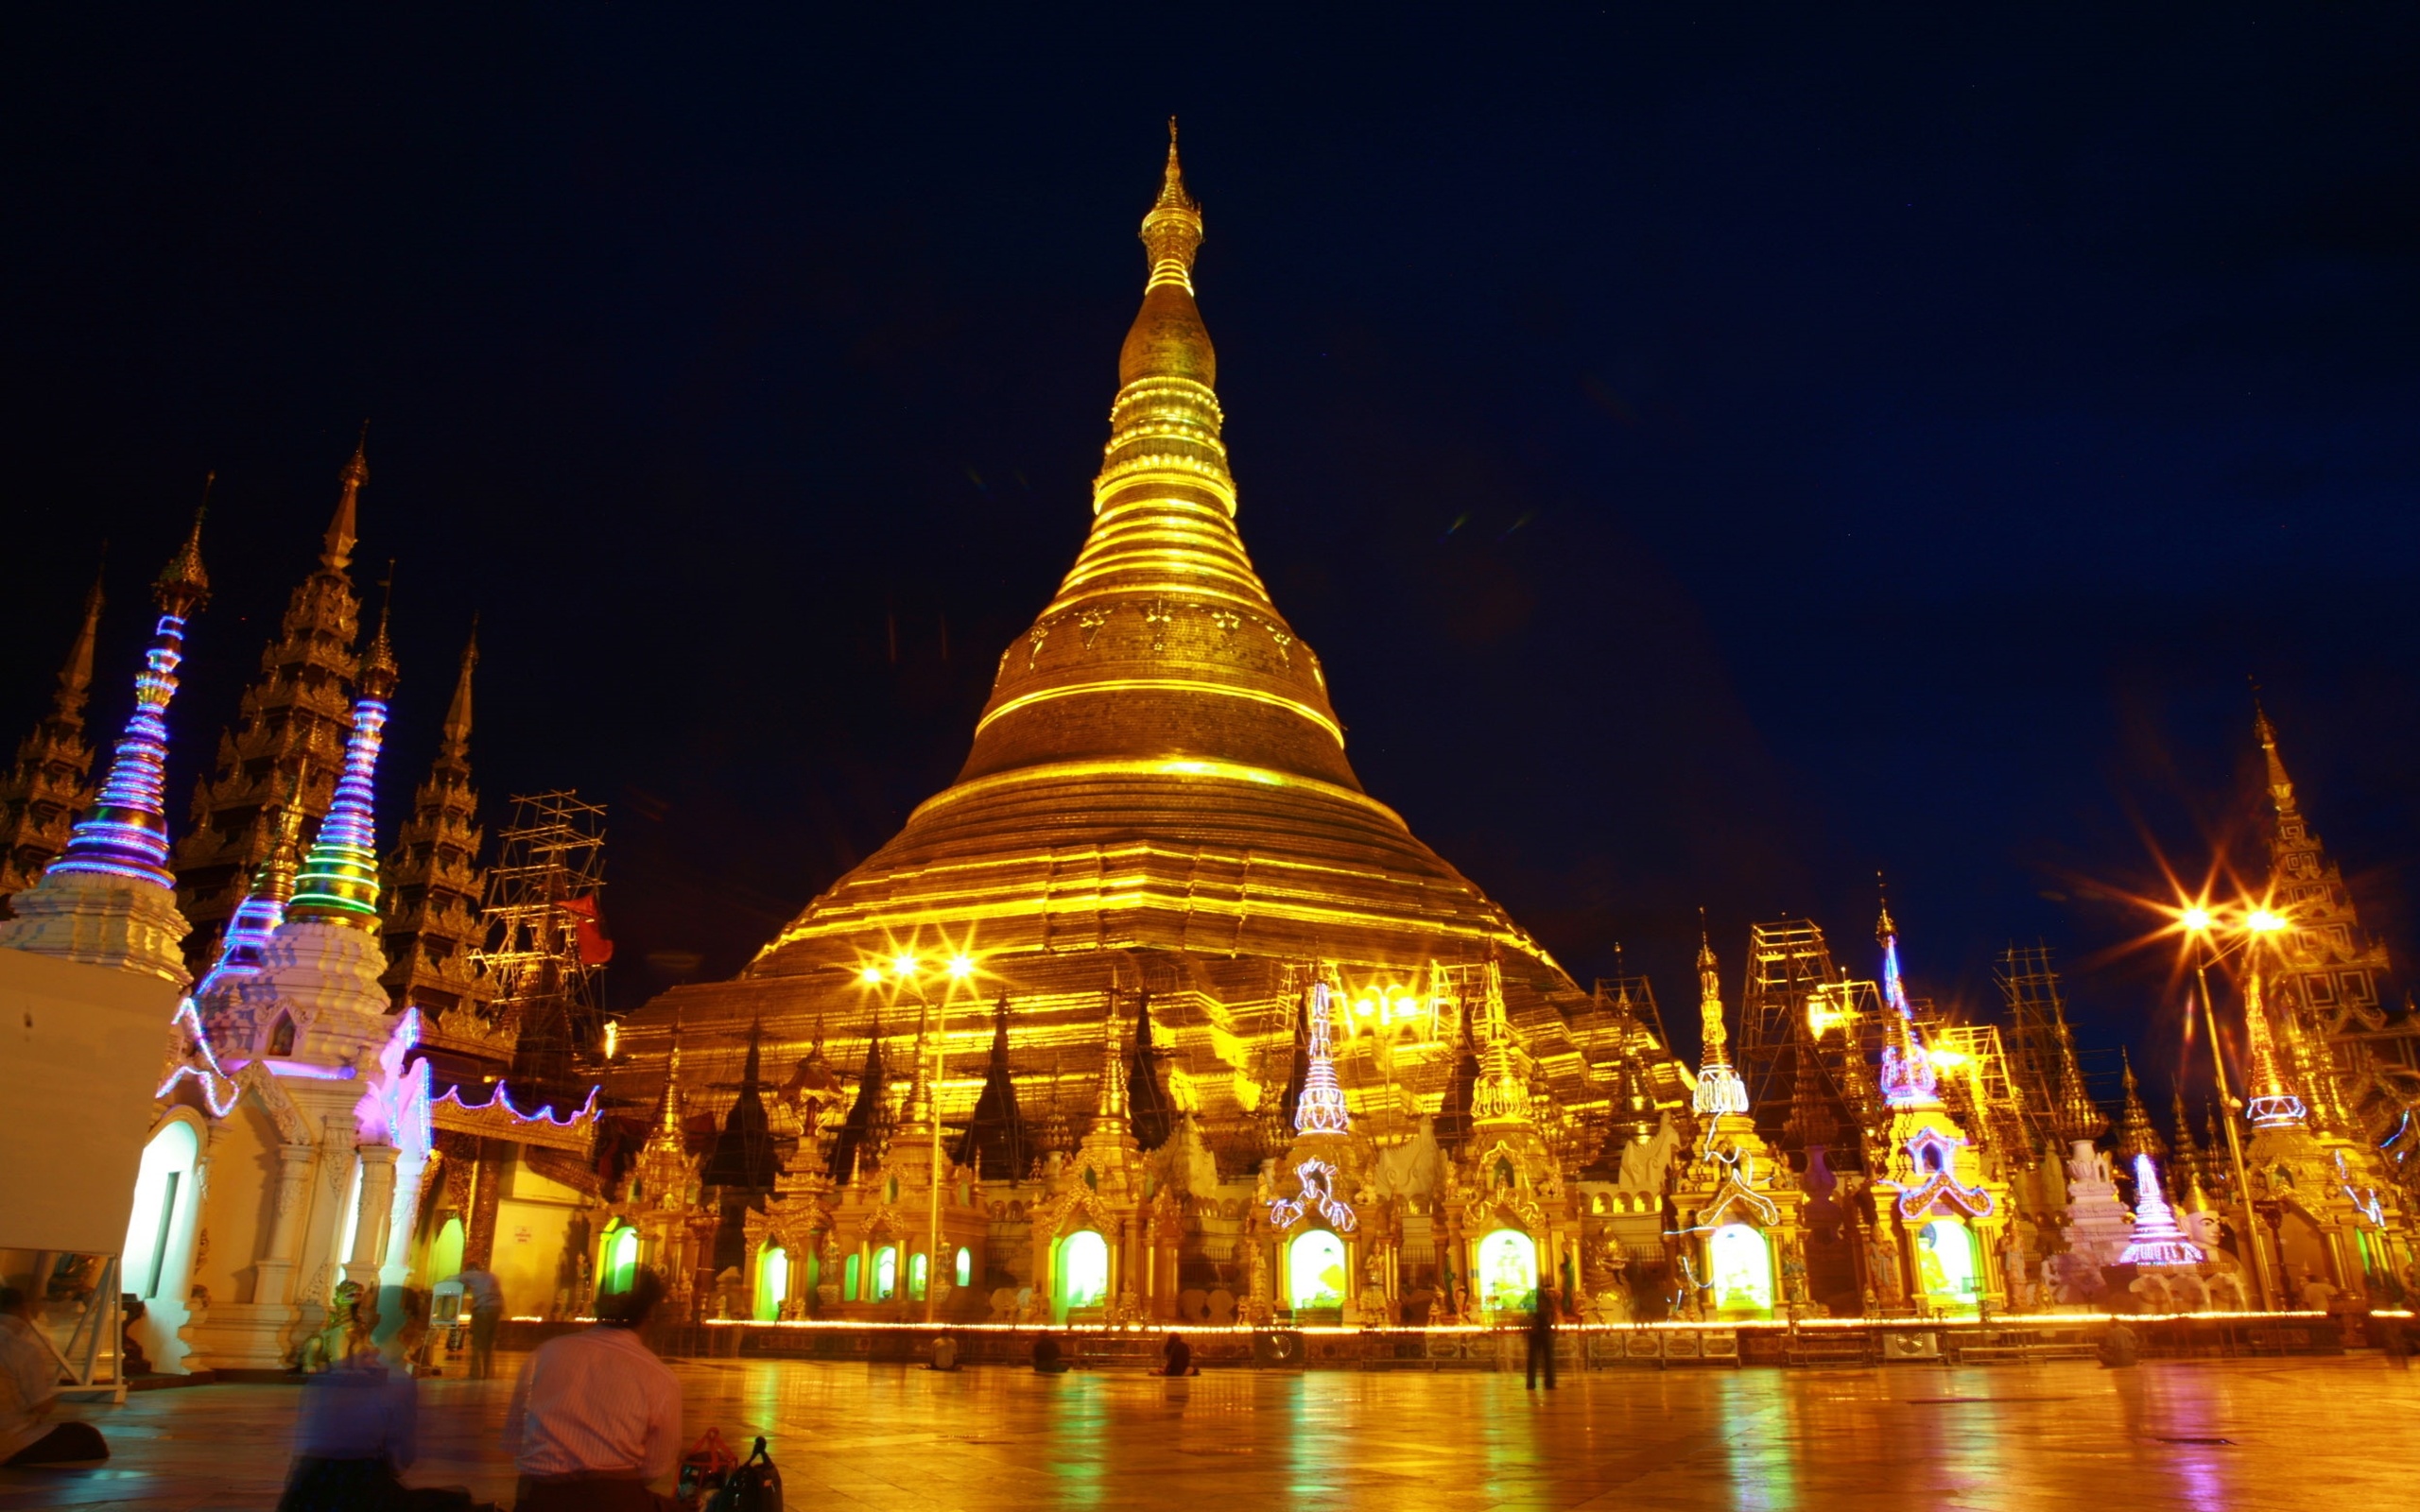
<point x="125" y="836"/>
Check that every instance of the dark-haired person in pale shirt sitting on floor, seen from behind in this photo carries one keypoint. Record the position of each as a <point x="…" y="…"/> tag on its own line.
<point x="597" y="1416"/>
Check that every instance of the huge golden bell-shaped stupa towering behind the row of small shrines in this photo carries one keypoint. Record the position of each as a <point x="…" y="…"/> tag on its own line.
<point x="1158" y="800"/>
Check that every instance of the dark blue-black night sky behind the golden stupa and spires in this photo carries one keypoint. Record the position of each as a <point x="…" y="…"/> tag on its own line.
<point x="1717" y="454"/>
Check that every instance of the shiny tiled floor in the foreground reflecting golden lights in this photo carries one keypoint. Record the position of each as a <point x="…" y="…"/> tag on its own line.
<point x="2240" y="1436"/>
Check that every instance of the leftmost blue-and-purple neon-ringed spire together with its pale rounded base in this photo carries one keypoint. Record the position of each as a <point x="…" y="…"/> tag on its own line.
<point x="108" y="899"/>
